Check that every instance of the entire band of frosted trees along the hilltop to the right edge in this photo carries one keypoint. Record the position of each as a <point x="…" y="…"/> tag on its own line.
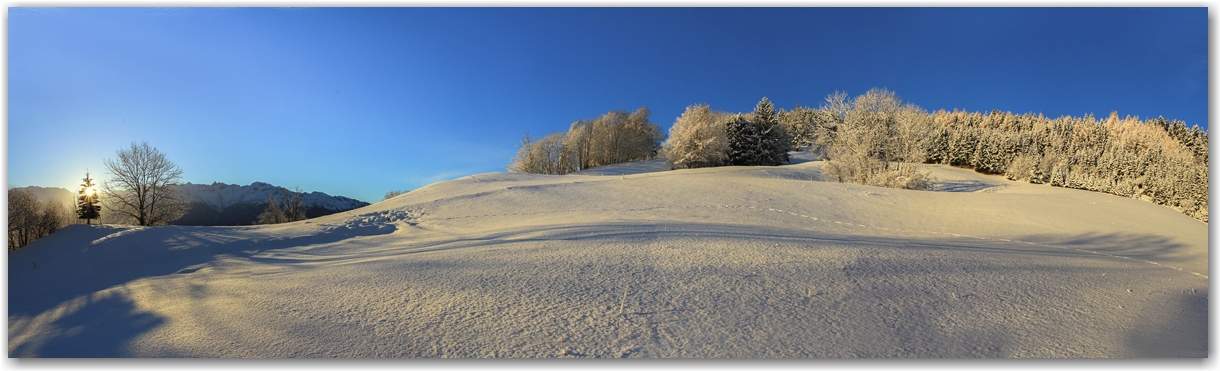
<point x="877" y="140"/>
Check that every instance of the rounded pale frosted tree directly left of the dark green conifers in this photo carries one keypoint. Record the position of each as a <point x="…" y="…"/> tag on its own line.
<point x="698" y="139"/>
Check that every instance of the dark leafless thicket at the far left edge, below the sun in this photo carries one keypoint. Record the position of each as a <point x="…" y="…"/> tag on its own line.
<point x="31" y="219"/>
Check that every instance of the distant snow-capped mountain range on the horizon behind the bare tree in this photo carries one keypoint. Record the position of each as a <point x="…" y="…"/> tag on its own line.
<point x="220" y="204"/>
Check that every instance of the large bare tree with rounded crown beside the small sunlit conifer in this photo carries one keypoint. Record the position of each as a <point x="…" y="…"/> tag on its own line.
<point x="142" y="186"/>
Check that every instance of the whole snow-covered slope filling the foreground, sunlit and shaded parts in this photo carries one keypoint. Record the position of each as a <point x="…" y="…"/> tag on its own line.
<point x="728" y="262"/>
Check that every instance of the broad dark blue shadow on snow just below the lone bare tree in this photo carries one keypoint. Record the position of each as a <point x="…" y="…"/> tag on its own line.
<point x="81" y="261"/>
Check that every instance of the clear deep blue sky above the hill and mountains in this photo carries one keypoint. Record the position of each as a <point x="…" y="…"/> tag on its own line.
<point x="362" y="102"/>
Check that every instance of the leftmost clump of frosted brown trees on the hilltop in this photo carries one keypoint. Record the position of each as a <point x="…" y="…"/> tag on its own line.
<point x="617" y="137"/>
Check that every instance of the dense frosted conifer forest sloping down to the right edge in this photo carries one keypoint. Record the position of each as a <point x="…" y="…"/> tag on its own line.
<point x="1156" y="160"/>
